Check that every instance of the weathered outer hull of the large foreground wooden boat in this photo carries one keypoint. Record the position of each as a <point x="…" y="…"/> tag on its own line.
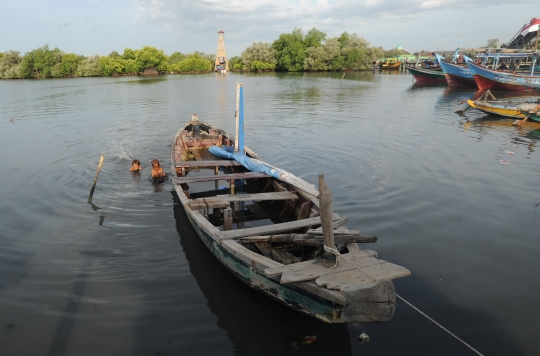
<point x="366" y="302"/>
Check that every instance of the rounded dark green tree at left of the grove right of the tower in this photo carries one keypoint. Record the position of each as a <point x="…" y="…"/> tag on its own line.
<point x="290" y="51"/>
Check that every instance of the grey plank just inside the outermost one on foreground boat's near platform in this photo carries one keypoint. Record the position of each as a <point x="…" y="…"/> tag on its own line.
<point x="317" y="269"/>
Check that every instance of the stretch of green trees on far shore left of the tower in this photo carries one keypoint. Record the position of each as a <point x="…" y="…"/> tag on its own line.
<point x="54" y="63"/>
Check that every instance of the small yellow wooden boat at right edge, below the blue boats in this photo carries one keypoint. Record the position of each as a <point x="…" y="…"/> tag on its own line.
<point x="518" y="108"/>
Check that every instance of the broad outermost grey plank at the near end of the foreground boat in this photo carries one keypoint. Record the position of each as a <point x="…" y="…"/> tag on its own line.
<point x="383" y="271"/>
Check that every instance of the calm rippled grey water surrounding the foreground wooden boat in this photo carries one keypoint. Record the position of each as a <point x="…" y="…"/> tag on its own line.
<point x="451" y="198"/>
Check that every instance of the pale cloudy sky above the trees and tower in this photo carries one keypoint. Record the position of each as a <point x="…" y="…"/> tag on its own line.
<point x="91" y="27"/>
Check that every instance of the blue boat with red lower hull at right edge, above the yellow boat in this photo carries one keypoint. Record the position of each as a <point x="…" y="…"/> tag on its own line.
<point x="487" y="78"/>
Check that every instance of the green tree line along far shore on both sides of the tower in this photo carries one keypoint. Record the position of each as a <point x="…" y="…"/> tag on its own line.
<point x="291" y="52"/>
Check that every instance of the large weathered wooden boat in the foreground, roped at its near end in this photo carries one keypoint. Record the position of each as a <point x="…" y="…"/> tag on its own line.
<point x="264" y="228"/>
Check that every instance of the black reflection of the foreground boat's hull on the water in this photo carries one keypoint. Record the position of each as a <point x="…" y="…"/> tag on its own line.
<point x="255" y="324"/>
